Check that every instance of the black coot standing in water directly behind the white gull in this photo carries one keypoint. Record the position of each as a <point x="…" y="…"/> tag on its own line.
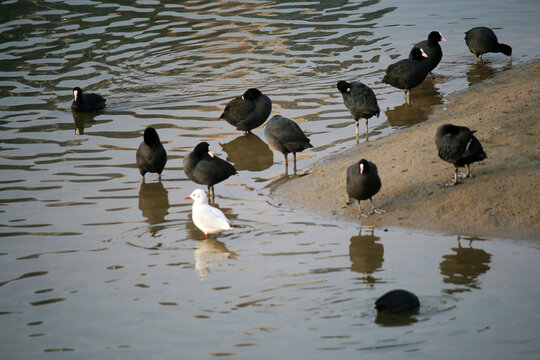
<point x="202" y="167"/>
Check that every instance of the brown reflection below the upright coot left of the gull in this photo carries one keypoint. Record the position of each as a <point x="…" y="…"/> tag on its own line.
<point x="154" y="204"/>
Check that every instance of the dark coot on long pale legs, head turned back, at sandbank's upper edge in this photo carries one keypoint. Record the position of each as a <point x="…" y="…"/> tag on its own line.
<point x="360" y="100"/>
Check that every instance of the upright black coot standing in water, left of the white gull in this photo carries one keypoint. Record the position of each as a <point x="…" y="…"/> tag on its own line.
<point x="151" y="156"/>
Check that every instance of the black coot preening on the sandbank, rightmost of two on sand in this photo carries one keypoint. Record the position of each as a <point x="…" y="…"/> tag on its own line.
<point x="458" y="146"/>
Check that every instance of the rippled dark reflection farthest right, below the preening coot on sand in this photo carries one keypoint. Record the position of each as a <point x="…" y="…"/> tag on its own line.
<point x="464" y="266"/>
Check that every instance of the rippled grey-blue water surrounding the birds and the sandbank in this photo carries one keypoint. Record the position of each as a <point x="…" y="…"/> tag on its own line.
<point x="95" y="264"/>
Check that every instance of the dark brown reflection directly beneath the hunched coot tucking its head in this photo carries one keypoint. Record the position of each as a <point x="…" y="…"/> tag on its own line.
<point x="249" y="152"/>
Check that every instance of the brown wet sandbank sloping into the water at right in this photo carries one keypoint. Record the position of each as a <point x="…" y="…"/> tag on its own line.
<point x="502" y="199"/>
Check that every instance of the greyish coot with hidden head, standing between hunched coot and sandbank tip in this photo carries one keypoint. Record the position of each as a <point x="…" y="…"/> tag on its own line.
<point x="285" y="136"/>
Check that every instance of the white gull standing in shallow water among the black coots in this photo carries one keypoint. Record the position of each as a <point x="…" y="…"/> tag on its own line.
<point x="208" y="219"/>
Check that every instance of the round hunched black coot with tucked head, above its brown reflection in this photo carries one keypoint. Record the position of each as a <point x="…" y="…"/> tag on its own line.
<point x="248" y="111"/>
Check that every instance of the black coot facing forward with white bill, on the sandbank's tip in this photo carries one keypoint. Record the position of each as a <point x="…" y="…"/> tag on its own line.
<point x="363" y="182"/>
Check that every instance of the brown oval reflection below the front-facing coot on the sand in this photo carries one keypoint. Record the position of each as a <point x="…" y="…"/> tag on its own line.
<point x="366" y="254"/>
